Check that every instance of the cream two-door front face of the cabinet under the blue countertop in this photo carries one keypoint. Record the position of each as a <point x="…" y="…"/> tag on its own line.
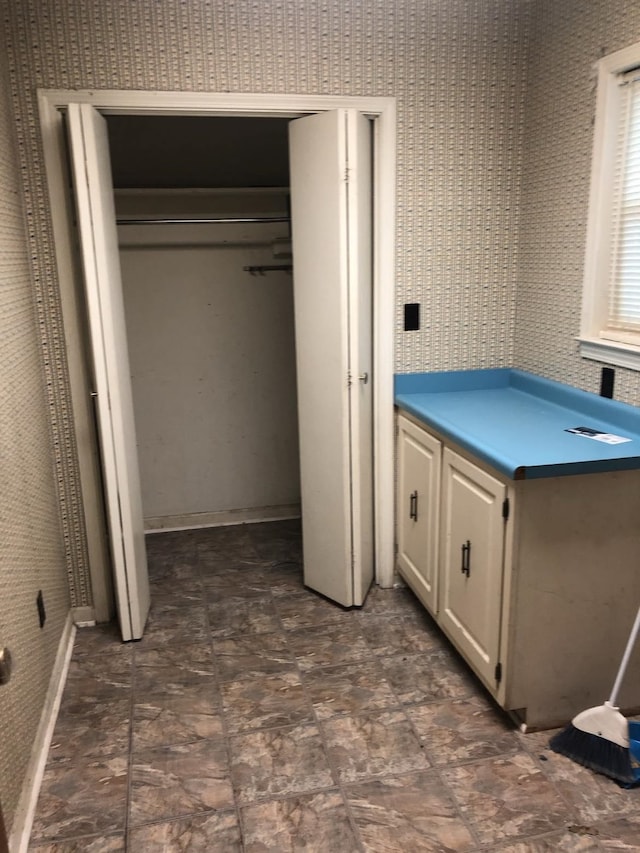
<point x="451" y="542"/>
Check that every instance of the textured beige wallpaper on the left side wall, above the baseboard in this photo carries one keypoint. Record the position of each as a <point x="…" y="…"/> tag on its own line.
<point x="31" y="548"/>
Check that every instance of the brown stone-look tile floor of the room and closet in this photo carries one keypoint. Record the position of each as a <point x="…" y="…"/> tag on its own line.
<point x="256" y="716"/>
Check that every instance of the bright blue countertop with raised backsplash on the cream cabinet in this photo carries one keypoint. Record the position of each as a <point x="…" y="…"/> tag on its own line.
<point x="517" y="422"/>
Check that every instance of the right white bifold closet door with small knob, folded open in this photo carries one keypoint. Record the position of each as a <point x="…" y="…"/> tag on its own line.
<point x="331" y="207"/>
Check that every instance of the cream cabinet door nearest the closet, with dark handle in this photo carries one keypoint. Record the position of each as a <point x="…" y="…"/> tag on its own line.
<point x="419" y="462"/>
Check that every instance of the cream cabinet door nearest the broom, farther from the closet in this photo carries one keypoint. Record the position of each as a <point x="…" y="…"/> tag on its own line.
<point x="472" y="562"/>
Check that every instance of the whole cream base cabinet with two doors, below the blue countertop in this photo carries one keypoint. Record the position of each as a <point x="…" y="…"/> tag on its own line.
<point x="535" y="582"/>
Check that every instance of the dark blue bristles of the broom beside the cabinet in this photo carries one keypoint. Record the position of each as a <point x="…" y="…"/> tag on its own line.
<point x="597" y="753"/>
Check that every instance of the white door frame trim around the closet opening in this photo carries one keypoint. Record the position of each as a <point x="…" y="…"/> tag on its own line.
<point x="108" y="101"/>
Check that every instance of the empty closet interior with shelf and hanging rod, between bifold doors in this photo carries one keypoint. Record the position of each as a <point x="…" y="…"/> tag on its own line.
<point x="203" y="218"/>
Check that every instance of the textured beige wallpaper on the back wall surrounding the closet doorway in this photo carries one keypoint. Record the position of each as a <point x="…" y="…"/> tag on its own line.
<point x="456" y="69"/>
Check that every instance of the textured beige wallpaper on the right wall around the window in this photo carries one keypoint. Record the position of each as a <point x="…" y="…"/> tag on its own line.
<point x="567" y="38"/>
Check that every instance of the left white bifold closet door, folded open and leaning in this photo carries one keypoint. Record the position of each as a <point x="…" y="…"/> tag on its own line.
<point x="91" y="169"/>
